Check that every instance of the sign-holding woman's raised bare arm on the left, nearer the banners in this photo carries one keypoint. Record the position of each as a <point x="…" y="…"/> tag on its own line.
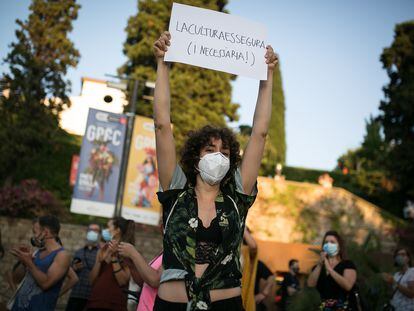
<point x="166" y="158"/>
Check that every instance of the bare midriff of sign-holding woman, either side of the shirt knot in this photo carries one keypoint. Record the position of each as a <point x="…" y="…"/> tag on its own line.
<point x="174" y="291"/>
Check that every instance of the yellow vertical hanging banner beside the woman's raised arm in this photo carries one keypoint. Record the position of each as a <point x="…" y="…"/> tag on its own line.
<point x="140" y="200"/>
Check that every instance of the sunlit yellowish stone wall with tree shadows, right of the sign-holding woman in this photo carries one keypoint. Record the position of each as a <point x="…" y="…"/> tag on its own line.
<point x="293" y="212"/>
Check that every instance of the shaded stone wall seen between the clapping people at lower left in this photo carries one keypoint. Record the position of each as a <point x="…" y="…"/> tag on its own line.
<point x="18" y="231"/>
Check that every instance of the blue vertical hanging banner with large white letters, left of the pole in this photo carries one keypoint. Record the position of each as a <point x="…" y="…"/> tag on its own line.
<point x="95" y="192"/>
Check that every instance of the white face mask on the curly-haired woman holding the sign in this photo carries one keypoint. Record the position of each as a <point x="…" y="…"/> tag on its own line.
<point x="213" y="167"/>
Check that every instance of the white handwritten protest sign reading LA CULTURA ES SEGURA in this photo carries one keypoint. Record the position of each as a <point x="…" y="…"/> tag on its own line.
<point x="218" y="41"/>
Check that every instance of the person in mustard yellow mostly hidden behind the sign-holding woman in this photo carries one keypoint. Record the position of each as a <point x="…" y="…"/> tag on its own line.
<point x="248" y="262"/>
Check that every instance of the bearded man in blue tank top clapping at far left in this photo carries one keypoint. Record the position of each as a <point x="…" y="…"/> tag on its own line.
<point x="46" y="269"/>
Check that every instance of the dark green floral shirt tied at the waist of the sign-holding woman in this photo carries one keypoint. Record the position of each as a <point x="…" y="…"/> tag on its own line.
<point x="180" y="218"/>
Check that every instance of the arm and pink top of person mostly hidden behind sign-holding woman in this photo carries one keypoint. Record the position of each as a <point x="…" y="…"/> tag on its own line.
<point x="150" y="273"/>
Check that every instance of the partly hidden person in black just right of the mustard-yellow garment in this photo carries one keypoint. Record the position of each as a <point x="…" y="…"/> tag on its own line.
<point x="263" y="285"/>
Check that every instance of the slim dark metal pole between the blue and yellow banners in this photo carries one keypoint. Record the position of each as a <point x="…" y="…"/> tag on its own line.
<point x="127" y="145"/>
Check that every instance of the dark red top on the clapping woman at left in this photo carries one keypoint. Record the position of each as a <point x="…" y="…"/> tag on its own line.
<point x="106" y="292"/>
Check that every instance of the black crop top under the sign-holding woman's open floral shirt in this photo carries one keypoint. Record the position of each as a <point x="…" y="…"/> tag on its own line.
<point x="207" y="241"/>
